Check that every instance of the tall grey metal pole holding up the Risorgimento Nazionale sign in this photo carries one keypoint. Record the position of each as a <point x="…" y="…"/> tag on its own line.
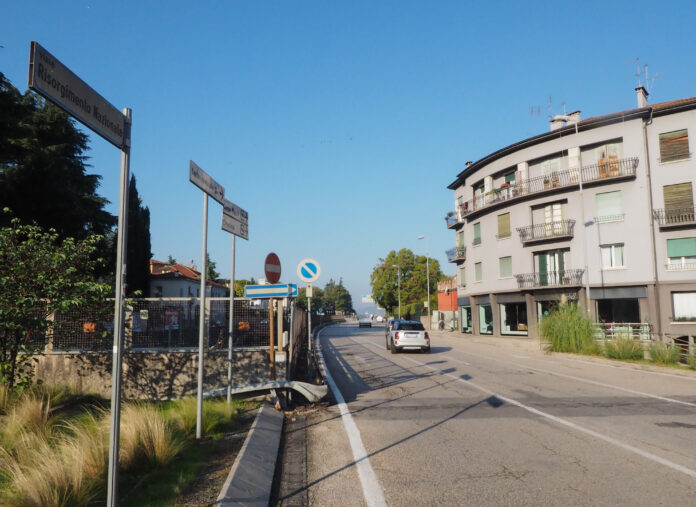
<point x="121" y="258"/>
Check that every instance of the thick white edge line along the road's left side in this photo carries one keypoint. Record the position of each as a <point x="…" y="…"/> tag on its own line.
<point x="372" y="491"/>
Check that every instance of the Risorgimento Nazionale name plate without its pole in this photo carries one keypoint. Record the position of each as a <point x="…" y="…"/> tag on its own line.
<point x="50" y="78"/>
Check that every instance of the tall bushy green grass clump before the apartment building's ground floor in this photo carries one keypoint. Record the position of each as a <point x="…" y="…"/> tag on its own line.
<point x="565" y="329"/>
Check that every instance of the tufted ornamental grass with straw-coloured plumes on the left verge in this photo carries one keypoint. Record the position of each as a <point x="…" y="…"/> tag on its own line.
<point x="54" y="445"/>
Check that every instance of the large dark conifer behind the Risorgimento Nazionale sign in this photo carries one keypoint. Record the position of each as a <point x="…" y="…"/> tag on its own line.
<point x="43" y="168"/>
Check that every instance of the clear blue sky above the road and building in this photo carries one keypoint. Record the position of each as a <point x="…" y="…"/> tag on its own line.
<point x="338" y="125"/>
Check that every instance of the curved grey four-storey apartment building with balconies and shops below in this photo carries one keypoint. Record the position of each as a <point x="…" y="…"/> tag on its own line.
<point x="599" y="210"/>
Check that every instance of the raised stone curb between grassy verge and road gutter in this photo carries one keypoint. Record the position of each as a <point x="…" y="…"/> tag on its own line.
<point x="251" y="477"/>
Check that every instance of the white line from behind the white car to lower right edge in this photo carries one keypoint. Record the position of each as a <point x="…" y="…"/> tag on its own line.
<point x="613" y="441"/>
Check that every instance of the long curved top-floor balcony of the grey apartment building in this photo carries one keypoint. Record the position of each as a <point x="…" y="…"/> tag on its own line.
<point x="603" y="172"/>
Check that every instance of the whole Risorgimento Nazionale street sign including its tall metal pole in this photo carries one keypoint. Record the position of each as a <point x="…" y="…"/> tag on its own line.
<point x="53" y="80"/>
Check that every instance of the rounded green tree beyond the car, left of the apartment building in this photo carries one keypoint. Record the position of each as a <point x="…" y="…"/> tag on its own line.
<point x="385" y="283"/>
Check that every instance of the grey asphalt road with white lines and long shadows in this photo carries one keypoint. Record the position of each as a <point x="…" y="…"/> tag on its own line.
<point x="480" y="422"/>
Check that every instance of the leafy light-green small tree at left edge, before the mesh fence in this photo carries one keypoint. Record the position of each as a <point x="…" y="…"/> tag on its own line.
<point x="40" y="273"/>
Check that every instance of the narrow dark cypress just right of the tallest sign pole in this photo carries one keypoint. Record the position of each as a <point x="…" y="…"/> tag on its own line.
<point x="139" y="245"/>
